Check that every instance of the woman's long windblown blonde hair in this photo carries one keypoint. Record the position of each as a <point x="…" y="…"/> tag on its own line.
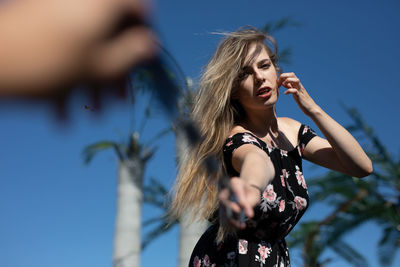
<point x="215" y="113"/>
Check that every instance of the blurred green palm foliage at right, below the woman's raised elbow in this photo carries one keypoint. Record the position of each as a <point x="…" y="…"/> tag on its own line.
<point x="355" y="202"/>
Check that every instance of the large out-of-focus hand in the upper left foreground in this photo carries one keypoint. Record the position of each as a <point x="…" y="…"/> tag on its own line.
<point x="50" y="46"/>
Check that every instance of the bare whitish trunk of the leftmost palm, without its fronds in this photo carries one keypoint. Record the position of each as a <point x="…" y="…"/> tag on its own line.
<point x="127" y="239"/>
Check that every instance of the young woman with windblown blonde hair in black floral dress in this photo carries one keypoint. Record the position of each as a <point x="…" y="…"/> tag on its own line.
<point x="261" y="152"/>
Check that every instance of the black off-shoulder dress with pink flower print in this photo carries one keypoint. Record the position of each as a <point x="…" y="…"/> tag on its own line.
<point x="284" y="201"/>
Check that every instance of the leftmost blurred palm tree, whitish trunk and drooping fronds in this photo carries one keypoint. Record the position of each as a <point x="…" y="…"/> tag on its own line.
<point x="133" y="157"/>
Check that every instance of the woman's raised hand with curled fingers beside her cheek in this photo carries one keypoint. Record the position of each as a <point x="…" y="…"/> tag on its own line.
<point x="295" y="88"/>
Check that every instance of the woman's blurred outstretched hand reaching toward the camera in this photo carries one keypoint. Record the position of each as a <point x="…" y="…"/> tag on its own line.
<point x="241" y="198"/>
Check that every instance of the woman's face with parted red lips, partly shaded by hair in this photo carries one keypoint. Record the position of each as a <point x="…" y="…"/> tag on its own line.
<point x="257" y="86"/>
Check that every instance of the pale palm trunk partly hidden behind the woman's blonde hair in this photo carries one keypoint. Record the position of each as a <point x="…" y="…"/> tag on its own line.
<point x="190" y="231"/>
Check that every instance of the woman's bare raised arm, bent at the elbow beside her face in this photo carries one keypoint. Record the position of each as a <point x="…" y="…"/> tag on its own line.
<point x="340" y="151"/>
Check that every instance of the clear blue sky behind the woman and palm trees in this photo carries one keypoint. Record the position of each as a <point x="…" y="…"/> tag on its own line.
<point x="54" y="211"/>
